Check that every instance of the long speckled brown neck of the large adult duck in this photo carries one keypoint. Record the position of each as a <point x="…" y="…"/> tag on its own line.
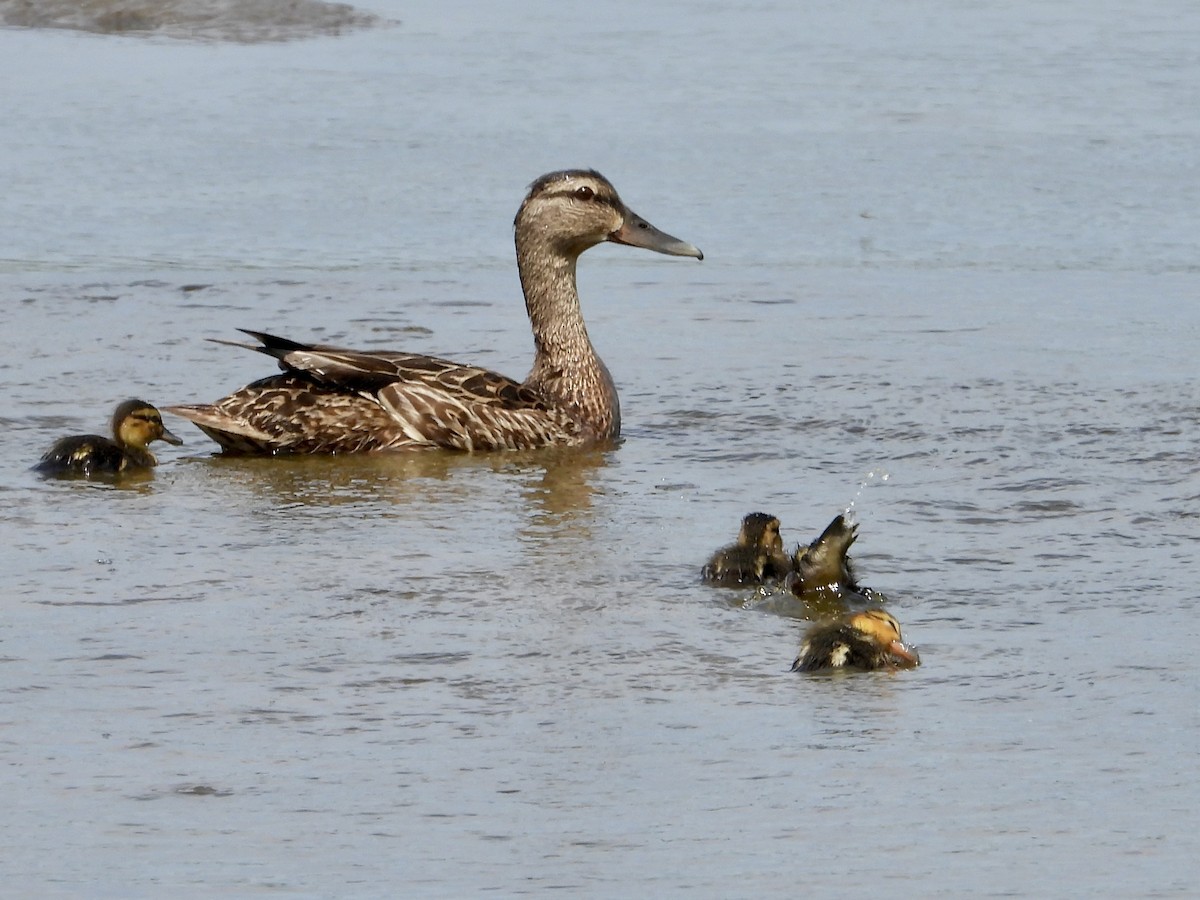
<point x="566" y="368"/>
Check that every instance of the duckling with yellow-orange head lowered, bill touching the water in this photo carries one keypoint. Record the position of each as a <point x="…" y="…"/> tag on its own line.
<point x="865" y="641"/>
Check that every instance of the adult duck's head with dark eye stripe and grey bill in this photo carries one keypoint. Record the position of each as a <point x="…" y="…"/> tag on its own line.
<point x="577" y="209"/>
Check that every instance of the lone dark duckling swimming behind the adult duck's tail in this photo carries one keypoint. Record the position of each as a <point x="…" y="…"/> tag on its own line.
<point x="136" y="424"/>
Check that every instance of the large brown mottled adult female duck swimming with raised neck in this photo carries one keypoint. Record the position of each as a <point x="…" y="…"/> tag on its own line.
<point x="332" y="400"/>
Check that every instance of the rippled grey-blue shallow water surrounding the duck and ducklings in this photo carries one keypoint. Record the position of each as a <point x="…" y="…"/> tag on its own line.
<point x="956" y="250"/>
